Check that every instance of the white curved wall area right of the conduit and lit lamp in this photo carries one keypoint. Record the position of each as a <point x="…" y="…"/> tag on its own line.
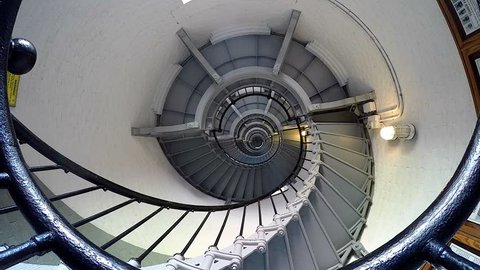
<point x="409" y="175"/>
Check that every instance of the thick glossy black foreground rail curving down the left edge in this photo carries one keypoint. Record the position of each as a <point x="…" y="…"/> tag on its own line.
<point x="55" y="233"/>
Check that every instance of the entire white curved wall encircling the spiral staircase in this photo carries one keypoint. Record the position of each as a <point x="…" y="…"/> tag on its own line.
<point x="100" y="64"/>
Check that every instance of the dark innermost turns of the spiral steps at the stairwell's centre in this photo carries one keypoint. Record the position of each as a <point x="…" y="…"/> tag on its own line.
<point x="254" y="147"/>
